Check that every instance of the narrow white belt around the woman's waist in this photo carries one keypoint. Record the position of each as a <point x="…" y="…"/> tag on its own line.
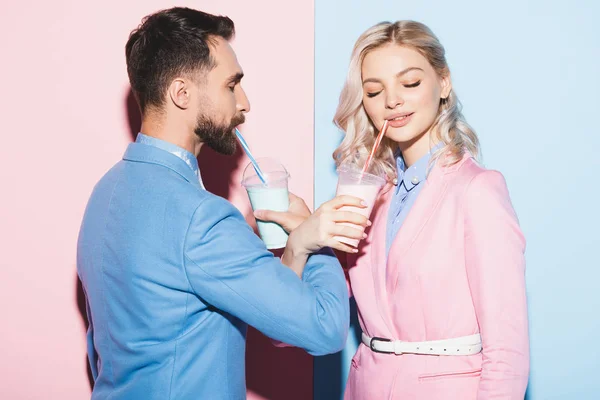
<point x="461" y="346"/>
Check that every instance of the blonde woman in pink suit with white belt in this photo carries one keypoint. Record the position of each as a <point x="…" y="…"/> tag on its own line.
<point x="439" y="283"/>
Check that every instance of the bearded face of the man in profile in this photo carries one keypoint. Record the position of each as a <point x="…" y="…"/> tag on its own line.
<point x="223" y="102"/>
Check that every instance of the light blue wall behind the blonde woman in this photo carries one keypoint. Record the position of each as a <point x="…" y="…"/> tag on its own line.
<point x="528" y="75"/>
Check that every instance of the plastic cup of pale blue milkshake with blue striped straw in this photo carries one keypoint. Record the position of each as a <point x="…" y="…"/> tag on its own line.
<point x="272" y="196"/>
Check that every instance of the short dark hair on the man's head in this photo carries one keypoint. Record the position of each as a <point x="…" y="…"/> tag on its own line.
<point x="170" y="43"/>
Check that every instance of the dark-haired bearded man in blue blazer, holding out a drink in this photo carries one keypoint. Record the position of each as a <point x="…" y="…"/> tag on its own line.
<point x="173" y="274"/>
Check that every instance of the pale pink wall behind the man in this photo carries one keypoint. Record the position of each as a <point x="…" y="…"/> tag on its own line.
<point x="65" y="121"/>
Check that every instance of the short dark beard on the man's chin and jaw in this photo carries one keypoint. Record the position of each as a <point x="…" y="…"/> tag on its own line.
<point x="219" y="137"/>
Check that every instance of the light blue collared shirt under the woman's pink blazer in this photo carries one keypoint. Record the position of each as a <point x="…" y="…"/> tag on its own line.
<point x="410" y="184"/>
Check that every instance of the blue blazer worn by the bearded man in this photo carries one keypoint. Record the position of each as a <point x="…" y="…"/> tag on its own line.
<point x="173" y="275"/>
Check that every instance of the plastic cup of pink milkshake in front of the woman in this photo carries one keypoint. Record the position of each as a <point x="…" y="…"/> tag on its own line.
<point x="352" y="181"/>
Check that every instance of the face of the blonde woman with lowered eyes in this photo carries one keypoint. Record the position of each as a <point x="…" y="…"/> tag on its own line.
<point x="399" y="85"/>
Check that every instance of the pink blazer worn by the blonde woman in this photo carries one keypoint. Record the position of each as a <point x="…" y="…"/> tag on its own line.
<point x="455" y="268"/>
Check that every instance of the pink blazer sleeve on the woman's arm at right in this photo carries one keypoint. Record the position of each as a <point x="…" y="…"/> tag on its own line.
<point x="495" y="262"/>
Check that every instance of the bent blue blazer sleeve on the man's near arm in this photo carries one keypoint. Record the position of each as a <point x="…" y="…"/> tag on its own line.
<point x="229" y="267"/>
